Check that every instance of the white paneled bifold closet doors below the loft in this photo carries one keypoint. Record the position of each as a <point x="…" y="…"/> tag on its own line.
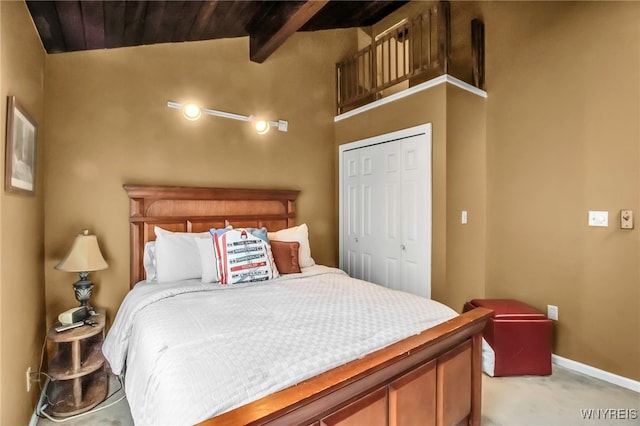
<point x="386" y="213"/>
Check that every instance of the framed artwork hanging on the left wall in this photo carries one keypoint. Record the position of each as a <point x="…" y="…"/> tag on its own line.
<point x="20" y="152"/>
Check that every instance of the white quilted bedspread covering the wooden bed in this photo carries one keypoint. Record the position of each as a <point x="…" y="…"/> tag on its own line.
<point x="193" y="350"/>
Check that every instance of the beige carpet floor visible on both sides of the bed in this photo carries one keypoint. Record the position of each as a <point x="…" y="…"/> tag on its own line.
<point x="562" y="399"/>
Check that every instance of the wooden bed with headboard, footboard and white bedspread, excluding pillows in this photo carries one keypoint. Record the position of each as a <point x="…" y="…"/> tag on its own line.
<point x="348" y="353"/>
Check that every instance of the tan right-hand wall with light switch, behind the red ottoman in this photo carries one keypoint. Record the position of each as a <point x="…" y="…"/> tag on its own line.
<point x="563" y="138"/>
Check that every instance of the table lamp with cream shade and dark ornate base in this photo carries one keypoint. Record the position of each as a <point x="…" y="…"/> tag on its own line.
<point x="84" y="257"/>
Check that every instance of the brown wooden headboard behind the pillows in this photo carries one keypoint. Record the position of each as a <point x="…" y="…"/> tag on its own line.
<point x="191" y="209"/>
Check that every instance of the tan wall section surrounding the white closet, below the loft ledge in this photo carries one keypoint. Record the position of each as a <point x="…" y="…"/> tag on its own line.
<point x="459" y="180"/>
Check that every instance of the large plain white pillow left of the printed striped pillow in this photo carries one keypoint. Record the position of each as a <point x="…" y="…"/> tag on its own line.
<point x="177" y="255"/>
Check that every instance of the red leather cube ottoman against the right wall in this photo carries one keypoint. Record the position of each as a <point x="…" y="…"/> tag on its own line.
<point x="520" y="336"/>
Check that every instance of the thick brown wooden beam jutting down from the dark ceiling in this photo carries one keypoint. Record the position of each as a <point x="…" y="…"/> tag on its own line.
<point x="262" y="44"/>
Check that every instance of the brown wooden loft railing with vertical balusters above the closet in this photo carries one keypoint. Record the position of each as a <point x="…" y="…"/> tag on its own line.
<point x="414" y="50"/>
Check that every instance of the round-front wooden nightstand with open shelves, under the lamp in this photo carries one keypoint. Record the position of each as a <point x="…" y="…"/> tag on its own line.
<point x="79" y="380"/>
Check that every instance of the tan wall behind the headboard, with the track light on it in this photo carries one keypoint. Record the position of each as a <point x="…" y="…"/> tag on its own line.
<point x="108" y="124"/>
